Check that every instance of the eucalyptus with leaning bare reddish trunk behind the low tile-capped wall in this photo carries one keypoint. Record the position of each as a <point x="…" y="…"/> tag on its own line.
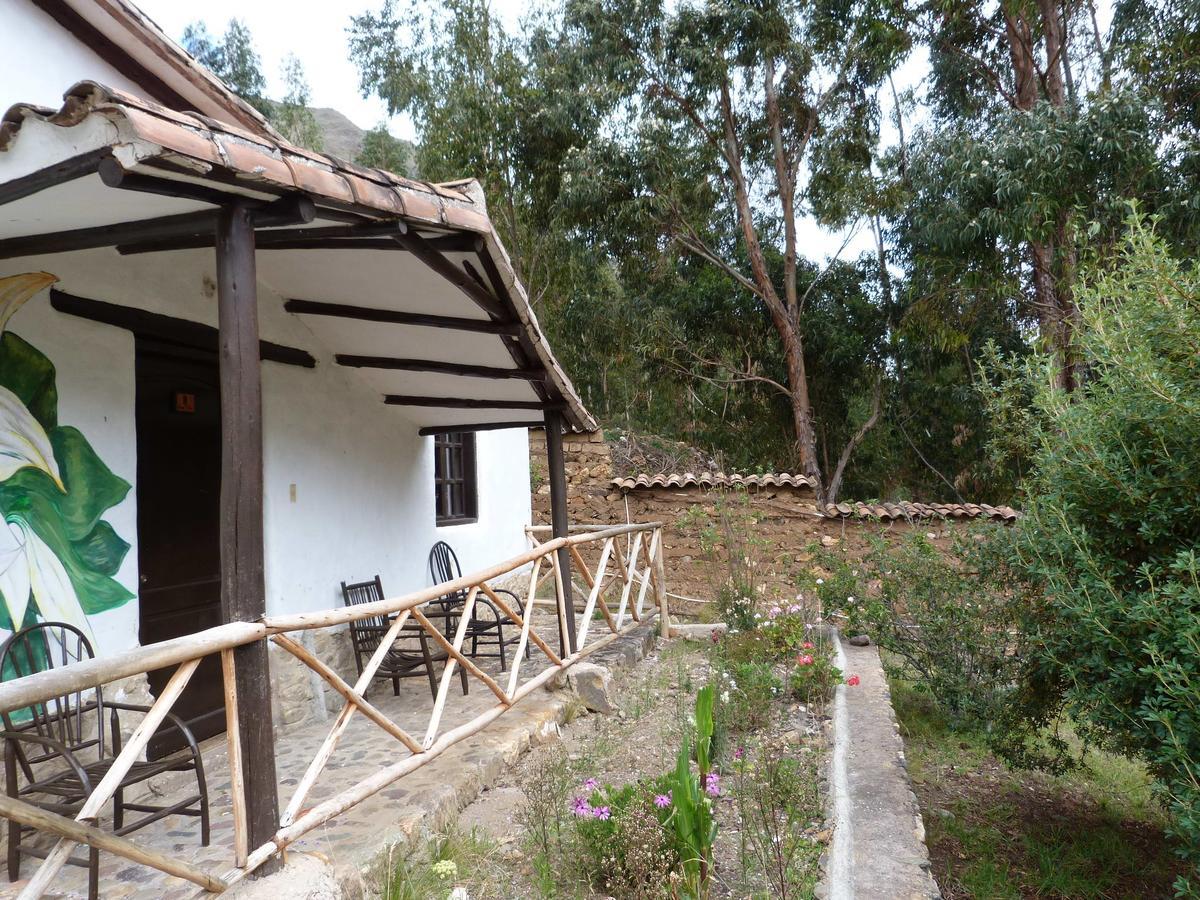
<point x="730" y="123"/>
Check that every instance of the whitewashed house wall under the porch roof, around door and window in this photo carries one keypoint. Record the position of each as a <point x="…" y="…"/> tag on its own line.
<point x="364" y="479"/>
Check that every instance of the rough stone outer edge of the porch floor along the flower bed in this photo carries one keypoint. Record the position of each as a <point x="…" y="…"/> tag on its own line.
<point x="451" y="784"/>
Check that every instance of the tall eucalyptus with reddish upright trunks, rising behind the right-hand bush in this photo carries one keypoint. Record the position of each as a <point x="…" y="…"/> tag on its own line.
<point x="1040" y="139"/>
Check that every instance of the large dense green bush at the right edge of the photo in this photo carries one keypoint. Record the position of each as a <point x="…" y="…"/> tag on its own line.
<point x="1112" y="531"/>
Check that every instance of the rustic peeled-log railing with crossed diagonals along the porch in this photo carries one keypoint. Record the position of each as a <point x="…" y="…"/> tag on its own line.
<point x="635" y="551"/>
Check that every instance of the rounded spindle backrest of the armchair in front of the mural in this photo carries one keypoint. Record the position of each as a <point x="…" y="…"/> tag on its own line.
<point x="75" y="719"/>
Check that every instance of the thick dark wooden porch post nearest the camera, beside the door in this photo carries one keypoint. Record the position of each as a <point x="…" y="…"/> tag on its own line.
<point x="243" y="586"/>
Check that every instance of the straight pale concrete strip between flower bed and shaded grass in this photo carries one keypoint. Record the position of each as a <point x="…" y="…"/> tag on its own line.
<point x="878" y="851"/>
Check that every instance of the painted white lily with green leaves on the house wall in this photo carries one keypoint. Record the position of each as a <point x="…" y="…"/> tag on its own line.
<point x="58" y="557"/>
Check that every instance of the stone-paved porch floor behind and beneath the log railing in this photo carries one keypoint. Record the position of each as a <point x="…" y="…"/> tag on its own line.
<point x="425" y="800"/>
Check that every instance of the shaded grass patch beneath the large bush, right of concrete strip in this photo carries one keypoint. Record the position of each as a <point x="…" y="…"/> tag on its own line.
<point x="997" y="833"/>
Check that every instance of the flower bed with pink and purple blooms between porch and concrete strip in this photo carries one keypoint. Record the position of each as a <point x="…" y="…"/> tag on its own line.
<point x="596" y="814"/>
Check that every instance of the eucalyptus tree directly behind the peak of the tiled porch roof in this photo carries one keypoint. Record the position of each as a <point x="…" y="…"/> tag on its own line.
<point x="496" y="106"/>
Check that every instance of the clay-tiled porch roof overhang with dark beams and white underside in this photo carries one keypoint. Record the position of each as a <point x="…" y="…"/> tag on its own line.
<point x="405" y="281"/>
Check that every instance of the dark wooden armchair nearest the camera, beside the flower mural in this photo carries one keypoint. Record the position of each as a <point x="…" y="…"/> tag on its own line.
<point x="59" y="748"/>
